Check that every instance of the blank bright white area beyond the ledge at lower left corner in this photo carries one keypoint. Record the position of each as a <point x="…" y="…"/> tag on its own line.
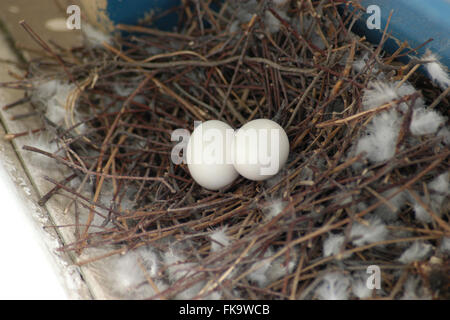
<point x="26" y="267"/>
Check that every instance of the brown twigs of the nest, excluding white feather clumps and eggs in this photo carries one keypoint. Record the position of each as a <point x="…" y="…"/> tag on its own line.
<point x="130" y="95"/>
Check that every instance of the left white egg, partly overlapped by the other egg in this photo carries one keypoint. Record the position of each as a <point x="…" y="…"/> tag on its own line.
<point x="209" y="155"/>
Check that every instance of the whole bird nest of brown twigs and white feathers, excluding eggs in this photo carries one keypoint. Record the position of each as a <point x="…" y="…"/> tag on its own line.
<point x="366" y="182"/>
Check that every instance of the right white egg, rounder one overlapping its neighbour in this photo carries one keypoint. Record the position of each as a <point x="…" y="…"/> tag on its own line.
<point x="261" y="149"/>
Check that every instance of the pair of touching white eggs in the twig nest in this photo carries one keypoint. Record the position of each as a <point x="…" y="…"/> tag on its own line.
<point x="216" y="154"/>
